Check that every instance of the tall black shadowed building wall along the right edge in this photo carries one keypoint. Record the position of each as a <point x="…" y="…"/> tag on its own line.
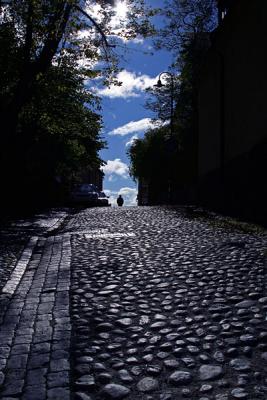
<point x="232" y="149"/>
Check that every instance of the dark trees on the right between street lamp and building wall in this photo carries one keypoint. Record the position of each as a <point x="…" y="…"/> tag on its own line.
<point x="186" y="34"/>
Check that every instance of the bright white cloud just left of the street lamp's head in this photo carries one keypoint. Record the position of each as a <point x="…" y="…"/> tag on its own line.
<point x="131" y="85"/>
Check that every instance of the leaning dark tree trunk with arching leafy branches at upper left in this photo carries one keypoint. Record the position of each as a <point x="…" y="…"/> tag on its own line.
<point x="45" y="30"/>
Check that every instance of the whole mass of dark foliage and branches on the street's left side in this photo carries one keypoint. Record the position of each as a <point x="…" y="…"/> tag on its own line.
<point x="51" y="123"/>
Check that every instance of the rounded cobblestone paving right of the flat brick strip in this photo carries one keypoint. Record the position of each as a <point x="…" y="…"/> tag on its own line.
<point x="170" y="312"/>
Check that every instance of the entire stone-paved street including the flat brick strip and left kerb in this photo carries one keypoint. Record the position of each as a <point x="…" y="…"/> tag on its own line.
<point x="138" y="303"/>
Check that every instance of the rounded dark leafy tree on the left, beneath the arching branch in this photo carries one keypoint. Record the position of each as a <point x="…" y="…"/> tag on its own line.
<point x="59" y="136"/>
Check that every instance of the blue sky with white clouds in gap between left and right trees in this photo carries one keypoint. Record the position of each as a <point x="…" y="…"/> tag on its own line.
<point x="124" y="115"/>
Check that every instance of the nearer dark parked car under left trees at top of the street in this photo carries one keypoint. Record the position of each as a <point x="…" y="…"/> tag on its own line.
<point x="84" y="194"/>
